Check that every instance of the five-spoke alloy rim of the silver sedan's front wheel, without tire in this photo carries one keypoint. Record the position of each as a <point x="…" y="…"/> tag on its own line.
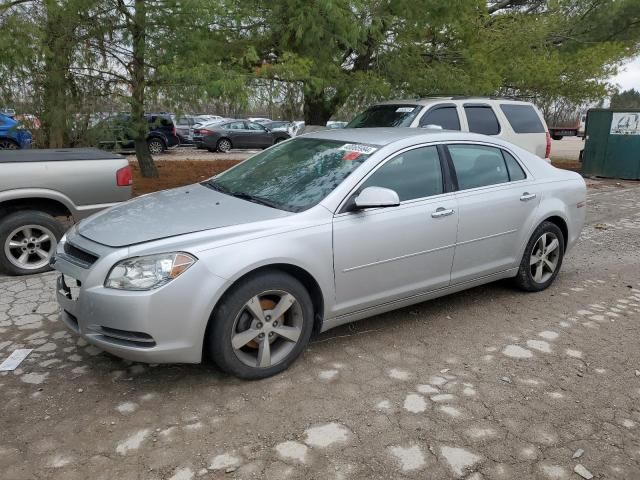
<point x="267" y="329"/>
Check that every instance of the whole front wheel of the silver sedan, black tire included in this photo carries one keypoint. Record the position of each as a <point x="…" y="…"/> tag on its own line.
<point x="262" y="340"/>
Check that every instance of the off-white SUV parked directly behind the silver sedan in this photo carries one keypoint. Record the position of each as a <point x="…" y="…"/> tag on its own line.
<point x="520" y="123"/>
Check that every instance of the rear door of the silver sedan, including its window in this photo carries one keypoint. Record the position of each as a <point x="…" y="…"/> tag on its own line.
<point x="496" y="205"/>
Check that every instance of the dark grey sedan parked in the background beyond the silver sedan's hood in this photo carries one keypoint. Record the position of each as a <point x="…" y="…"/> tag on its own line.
<point x="240" y="134"/>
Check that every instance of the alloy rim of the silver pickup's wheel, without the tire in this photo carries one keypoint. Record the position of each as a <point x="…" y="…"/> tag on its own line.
<point x="30" y="247"/>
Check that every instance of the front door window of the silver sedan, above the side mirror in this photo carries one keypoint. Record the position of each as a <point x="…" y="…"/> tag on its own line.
<point x="413" y="174"/>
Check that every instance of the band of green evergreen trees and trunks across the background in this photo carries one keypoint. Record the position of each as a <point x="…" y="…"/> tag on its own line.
<point x="66" y="60"/>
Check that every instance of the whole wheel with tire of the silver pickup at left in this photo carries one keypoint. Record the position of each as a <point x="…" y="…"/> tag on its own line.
<point x="21" y="229"/>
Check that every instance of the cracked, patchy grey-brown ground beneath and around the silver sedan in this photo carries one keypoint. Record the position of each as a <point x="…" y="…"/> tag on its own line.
<point x="486" y="384"/>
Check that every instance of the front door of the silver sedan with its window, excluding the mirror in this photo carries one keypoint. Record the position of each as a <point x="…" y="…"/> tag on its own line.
<point x="385" y="254"/>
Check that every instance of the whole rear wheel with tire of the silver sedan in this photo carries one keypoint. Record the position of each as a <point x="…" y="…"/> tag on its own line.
<point x="529" y="277"/>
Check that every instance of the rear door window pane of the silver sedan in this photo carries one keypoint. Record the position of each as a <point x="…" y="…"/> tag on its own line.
<point x="478" y="166"/>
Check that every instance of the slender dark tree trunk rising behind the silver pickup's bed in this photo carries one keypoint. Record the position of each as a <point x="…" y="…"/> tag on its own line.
<point x="140" y="125"/>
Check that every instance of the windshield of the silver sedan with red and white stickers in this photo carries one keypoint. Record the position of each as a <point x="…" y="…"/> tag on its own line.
<point x="294" y="175"/>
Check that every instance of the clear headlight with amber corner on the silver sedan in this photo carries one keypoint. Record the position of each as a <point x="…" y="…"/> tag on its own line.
<point x="149" y="272"/>
